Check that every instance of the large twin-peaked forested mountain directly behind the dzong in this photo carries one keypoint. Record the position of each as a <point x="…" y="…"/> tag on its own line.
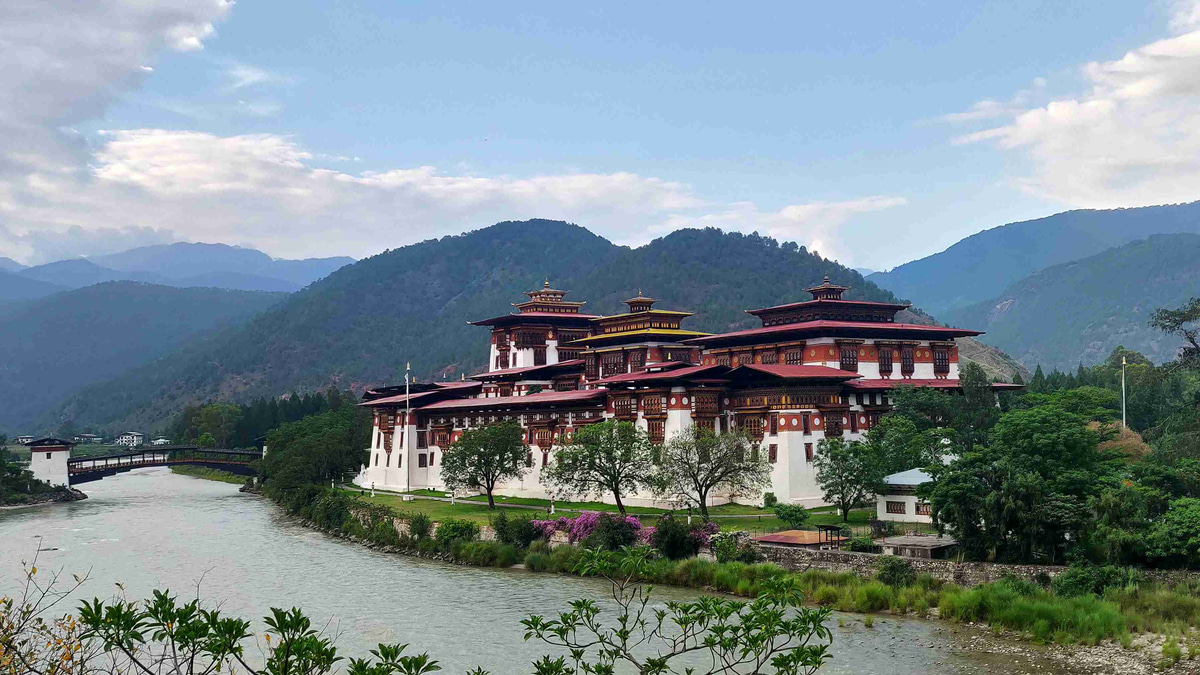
<point x="359" y="326"/>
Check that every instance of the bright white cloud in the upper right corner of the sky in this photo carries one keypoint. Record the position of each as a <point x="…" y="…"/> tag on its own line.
<point x="1132" y="139"/>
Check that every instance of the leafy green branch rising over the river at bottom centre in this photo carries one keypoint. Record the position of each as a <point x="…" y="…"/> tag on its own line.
<point x="706" y="636"/>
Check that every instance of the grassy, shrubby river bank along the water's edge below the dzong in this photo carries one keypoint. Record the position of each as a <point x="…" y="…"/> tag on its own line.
<point x="1046" y="637"/>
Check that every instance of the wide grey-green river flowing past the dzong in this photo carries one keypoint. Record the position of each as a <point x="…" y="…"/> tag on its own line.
<point x="152" y="529"/>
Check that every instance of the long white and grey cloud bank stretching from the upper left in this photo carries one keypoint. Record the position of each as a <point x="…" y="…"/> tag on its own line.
<point x="64" y="195"/>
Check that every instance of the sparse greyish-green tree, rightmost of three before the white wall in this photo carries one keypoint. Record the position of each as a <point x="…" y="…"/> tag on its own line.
<point x="695" y="464"/>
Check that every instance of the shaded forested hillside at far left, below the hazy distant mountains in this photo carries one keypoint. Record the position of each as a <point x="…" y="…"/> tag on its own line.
<point x="53" y="347"/>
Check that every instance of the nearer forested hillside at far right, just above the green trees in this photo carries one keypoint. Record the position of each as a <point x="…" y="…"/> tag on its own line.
<point x="1081" y="312"/>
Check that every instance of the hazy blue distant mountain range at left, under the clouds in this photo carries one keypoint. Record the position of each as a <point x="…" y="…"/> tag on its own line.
<point x="182" y="265"/>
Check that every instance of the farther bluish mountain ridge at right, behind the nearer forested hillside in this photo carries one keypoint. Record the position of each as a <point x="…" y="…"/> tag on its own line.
<point x="982" y="266"/>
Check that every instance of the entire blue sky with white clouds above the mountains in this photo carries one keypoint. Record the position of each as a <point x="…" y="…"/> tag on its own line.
<point x="872" y="133"/>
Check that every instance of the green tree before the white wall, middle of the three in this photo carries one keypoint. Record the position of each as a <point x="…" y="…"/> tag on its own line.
<point x="609" y="458"/>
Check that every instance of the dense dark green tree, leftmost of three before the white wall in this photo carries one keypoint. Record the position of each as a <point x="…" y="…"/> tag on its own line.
<point x="483" y="458"/>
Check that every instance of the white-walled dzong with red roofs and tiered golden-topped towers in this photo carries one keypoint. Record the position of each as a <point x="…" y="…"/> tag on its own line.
<point x="815" y="369"/>
